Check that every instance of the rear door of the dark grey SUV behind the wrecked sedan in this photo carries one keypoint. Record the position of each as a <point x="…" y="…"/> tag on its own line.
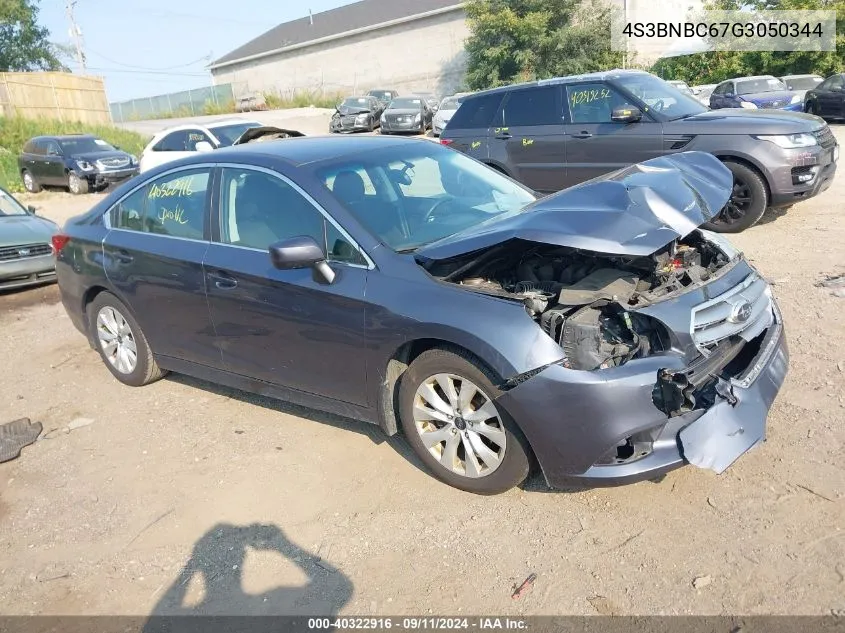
<point x="531" y="139"/>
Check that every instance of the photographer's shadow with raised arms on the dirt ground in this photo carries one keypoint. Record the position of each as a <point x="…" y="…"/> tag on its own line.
<point x="218" y="561"/>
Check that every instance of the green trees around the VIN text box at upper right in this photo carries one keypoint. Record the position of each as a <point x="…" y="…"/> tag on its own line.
<point x="716" y="66"/>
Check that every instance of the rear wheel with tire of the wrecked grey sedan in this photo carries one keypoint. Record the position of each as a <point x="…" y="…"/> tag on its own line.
<point x="120" y="342"/>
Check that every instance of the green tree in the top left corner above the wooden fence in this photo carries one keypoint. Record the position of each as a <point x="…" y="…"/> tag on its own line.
<point x="23" y="43"/>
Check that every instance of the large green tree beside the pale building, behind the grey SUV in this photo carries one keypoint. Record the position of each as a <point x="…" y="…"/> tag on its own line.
<point x="523" y="40"/>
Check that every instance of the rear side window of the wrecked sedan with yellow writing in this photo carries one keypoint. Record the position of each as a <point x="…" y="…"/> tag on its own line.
<point x="173" y="205"/>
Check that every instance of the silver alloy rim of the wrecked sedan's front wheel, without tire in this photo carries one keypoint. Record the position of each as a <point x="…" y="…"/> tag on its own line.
<point x="459" y="425"/>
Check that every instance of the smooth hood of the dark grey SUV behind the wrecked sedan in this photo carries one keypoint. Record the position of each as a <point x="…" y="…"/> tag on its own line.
<point x="737" y="121"/>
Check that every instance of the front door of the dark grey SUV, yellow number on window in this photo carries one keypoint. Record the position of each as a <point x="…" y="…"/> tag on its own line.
<point x="595" y="144"/>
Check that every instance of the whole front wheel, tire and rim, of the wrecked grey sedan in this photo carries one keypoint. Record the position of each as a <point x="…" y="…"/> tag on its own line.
<point x="450" y="418"/>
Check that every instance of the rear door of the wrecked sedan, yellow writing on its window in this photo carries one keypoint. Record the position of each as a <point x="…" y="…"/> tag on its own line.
<point x="153" y="259"/>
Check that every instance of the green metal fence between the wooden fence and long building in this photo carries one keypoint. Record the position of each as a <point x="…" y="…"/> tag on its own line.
<point x="186" y="103"/>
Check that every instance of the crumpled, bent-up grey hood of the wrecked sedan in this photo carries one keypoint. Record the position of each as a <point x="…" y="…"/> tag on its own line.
<point x="633" y="211"/>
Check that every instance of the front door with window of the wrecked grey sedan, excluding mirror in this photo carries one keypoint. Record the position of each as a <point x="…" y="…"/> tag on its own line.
<point x="286" y="327"/>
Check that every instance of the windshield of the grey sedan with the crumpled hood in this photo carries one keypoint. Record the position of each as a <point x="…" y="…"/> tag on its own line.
<point x="410" y="196"/>
